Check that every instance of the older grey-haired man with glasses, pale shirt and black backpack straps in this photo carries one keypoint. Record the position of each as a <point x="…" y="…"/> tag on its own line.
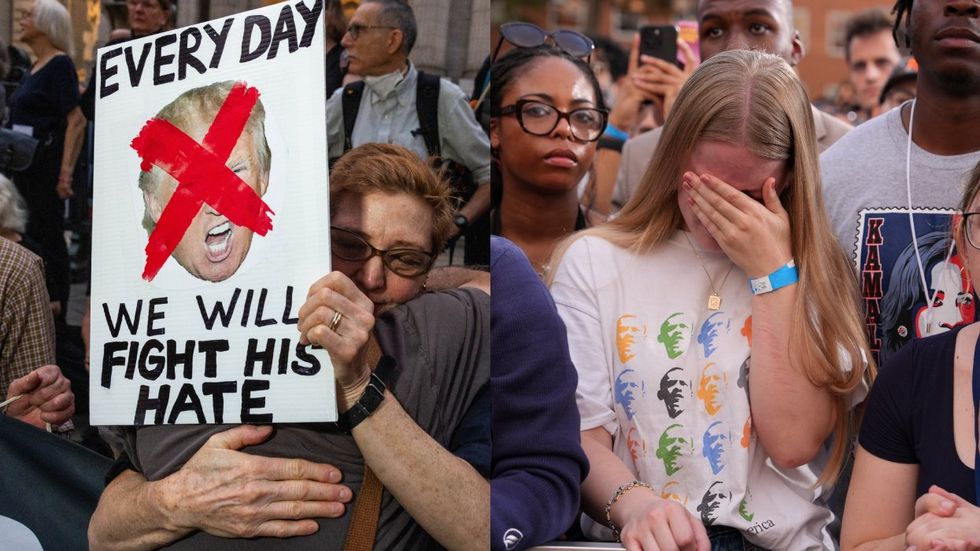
<point x="390" y="106"/>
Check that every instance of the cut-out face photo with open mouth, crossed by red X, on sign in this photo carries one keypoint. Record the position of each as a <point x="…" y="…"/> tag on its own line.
<point x="218" y="192"/>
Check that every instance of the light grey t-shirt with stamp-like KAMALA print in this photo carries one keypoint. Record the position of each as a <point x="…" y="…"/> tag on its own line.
<point x="864" y="179"/>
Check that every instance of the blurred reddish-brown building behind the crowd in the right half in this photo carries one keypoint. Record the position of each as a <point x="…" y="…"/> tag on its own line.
<point x="820" y="22"/>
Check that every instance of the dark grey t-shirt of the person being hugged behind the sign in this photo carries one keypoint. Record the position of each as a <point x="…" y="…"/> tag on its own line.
<point x="441" y="343"/>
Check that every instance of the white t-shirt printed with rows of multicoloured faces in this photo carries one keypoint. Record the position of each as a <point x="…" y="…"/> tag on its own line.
<point x="668" y="379"/>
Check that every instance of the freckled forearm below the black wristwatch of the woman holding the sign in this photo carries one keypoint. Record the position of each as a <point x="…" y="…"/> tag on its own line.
<point x="442" y="492"/>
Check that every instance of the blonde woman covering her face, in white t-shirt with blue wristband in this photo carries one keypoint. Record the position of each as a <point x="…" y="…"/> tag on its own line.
<point x="715" y="330"/>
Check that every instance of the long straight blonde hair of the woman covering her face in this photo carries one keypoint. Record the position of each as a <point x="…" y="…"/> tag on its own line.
<point x="755" y="100"/>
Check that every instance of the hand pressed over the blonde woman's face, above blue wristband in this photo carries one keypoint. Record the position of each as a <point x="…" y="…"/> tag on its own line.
<point x="754" y="234"/>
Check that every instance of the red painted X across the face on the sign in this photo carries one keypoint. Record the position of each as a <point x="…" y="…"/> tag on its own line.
<point x="201" y="175"/>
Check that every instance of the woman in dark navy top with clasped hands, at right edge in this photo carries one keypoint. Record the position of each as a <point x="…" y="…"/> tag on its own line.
<point x="915" y="478"/>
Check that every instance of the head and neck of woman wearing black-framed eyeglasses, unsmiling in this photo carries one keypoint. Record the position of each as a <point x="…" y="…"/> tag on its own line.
<point x="547" y="113"/>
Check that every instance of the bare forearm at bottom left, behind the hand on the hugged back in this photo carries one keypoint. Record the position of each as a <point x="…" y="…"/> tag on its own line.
<point x="131" y="517"/>
